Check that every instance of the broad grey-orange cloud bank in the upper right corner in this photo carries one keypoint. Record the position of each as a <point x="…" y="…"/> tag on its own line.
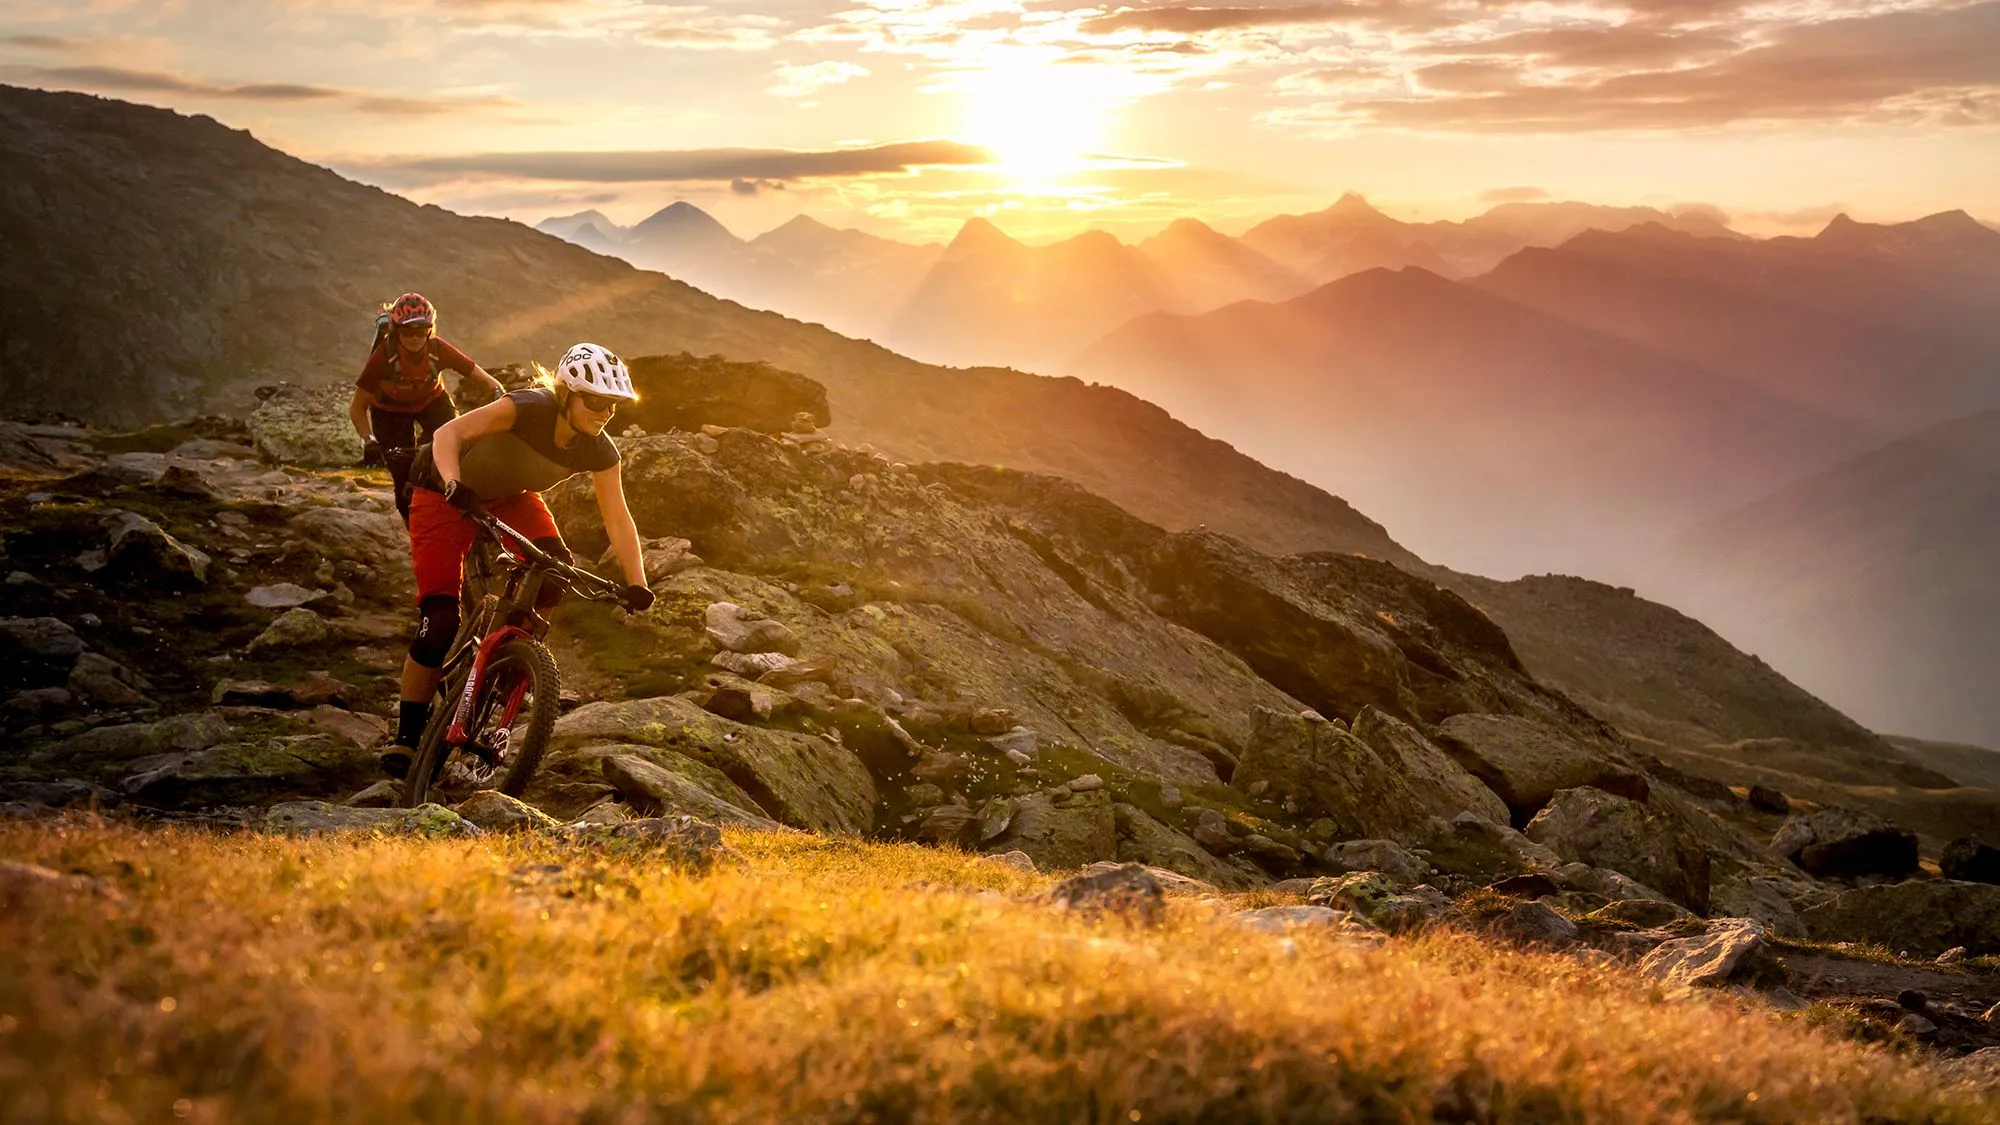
<point x="1939" y="67"/>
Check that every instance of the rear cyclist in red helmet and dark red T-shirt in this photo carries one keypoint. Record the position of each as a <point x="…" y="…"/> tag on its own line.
<point x="403" y="389"/>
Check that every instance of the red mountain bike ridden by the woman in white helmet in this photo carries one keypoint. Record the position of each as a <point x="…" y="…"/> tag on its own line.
<point x="497" y="702"/>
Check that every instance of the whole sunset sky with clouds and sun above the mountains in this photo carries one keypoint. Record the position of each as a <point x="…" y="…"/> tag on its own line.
<point x="907" y="117"/>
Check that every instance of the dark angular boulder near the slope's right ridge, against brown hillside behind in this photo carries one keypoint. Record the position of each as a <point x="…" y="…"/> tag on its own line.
<point x="1527" y="762"/>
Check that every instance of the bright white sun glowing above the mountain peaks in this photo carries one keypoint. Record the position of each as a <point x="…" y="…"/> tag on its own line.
<point x="1041" y="119"/>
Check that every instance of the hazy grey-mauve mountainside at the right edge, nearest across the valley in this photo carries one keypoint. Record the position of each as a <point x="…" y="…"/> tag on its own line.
<point x="1875" y="584"/>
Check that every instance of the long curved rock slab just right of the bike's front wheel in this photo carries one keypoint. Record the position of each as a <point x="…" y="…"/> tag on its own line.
<point x="799" y="780"/>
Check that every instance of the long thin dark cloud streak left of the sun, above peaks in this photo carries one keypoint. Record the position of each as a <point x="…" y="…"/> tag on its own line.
<point x="721" y="165"/>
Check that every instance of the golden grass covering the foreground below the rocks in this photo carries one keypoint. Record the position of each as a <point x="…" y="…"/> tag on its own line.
<point x="379" y="980"/>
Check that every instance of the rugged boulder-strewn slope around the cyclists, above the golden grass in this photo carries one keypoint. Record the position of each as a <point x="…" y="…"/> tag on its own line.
<point x="963" y="656"/>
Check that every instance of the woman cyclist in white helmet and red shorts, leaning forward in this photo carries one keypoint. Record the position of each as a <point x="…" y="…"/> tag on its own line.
<point x="503" y="457"/>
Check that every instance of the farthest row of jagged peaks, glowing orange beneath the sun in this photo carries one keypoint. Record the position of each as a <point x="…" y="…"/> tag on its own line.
<point x="991" y="299"/>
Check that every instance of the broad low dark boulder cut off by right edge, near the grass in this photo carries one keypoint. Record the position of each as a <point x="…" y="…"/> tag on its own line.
<point x="1923" y="918"/>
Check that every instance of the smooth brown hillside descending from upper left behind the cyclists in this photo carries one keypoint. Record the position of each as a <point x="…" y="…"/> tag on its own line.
<point x="217" y="265"/>
